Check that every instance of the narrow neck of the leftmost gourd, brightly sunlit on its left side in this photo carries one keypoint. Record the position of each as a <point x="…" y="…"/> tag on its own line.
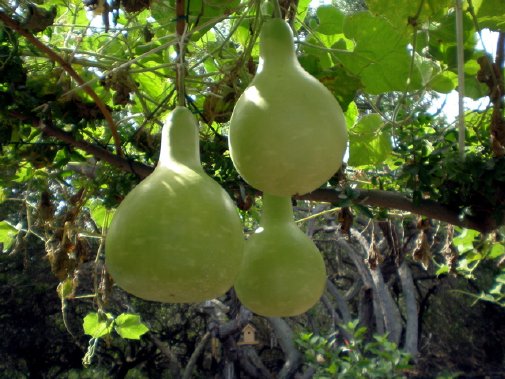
<point x="180" y="140"/>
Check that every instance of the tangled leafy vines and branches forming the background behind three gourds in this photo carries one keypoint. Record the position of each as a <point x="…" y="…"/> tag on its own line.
<point x="81" y="107"/>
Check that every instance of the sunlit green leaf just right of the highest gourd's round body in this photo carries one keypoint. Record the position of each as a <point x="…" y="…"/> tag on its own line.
<point x="369" y="142"/>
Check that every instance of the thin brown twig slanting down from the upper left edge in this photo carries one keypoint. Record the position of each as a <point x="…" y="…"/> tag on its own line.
<point x="16" y="26"/>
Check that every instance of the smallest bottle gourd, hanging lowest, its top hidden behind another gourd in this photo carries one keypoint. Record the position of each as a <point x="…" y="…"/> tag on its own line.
<point x="282" y="273"/>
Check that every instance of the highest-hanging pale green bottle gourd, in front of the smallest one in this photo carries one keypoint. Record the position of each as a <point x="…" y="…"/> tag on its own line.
<point x="287" y="131"/>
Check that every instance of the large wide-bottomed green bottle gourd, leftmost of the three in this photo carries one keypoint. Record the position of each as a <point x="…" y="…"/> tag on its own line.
<point x="177" y="236"/>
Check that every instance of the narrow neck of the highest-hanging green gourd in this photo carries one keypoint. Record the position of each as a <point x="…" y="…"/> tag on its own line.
<point x="277" y="48"/>
